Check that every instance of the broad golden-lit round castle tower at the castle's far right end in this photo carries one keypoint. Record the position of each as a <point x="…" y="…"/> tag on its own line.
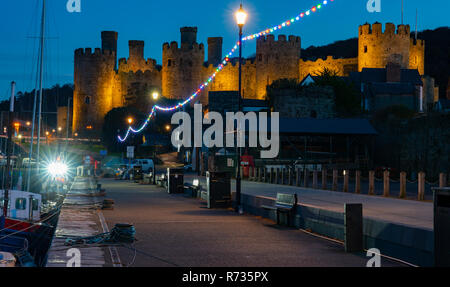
<point x="377" y="48"/>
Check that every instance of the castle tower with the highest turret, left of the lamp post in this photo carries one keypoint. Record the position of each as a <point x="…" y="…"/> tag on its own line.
<point x="182" y="66"/>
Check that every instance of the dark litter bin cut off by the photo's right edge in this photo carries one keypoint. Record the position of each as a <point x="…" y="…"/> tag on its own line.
<point x="441" y="199"/>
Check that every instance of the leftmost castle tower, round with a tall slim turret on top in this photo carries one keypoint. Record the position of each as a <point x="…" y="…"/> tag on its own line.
<point x="94" y="86"/>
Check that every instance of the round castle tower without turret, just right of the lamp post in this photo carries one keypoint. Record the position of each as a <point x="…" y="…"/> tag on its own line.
<point x="276" y="60"/>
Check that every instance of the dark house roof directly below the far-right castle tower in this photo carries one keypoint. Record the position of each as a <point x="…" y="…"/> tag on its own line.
<point x="378" y="75"/>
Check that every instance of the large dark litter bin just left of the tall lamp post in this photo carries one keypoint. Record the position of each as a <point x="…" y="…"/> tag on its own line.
<point x="218" y="192"/>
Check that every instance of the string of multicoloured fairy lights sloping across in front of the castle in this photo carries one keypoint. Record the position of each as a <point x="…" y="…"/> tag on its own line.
<point x="222" y="65"/>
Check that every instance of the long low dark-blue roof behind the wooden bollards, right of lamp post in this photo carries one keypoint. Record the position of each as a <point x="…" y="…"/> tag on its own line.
<point x="324" y="126"/>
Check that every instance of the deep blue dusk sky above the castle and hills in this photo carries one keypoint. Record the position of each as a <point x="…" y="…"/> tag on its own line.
<point x="159" y="21"/>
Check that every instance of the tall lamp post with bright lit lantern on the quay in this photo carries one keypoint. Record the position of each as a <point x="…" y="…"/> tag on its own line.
<point x="241" y="17"/>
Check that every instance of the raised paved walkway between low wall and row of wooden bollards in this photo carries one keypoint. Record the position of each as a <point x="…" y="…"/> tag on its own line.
<point x="401" y="211"/>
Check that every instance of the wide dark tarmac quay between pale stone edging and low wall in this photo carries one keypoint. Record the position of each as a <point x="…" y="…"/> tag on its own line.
<point x="173" y="230"/>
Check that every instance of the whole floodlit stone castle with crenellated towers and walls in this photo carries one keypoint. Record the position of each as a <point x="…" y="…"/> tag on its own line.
<point x="100" y="84"/>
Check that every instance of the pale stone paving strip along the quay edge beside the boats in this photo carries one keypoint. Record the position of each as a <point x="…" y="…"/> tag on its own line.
<point x="79" y="217"/>
